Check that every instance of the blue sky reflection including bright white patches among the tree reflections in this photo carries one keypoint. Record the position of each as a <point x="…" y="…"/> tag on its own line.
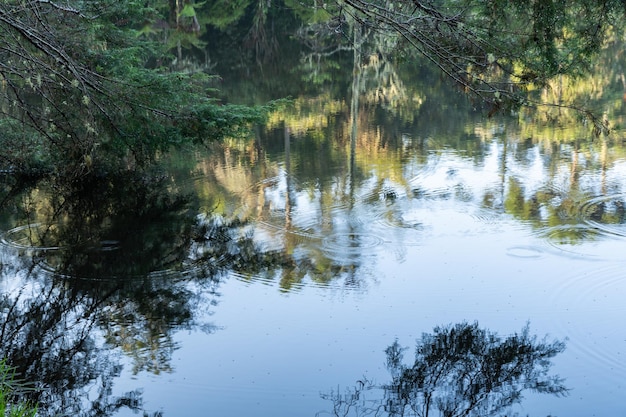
<point x="439" y="259"/>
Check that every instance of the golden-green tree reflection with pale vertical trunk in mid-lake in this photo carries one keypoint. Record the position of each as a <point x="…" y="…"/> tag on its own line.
<point x="337" y="149"/>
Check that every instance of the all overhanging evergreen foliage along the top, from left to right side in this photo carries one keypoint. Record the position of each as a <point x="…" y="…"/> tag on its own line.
<point x="106" y="85"/>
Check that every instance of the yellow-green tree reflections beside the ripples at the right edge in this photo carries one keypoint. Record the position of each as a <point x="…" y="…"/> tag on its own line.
<point x="566" y="198"/>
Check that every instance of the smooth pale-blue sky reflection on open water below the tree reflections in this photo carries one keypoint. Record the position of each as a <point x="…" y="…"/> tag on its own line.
<point x="277" y="352"/>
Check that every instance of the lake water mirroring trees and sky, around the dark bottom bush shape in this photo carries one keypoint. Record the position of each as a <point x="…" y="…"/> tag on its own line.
<point x="383" y="219"/>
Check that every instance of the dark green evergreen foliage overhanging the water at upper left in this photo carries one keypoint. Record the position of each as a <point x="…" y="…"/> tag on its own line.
<point x="83" y="87"/>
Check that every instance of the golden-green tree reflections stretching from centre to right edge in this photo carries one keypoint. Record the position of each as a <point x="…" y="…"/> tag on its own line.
<point x="371" y="130"/>
